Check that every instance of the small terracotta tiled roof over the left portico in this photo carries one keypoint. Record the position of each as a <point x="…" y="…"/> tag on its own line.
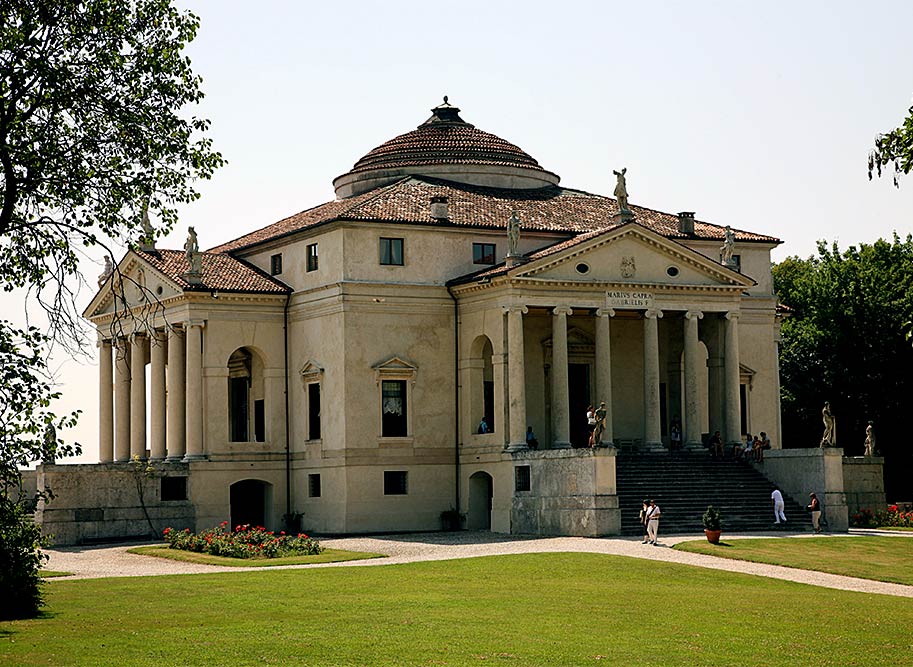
<point x="220" y="272"/>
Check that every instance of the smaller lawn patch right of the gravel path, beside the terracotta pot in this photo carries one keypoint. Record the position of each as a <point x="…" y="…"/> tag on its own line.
<point x="869" y="557"/>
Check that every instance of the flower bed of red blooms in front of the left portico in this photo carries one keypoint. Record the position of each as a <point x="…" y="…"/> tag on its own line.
<point x="243" y="542"/>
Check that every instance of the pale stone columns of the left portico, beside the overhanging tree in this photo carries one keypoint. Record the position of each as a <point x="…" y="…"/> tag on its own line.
<point x="175" y="385"/>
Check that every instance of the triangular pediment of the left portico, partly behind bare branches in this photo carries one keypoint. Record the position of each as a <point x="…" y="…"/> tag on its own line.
<point x="133" y="283"/>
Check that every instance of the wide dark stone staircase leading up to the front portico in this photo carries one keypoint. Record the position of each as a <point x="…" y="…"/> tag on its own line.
<point x="684" y="484"/>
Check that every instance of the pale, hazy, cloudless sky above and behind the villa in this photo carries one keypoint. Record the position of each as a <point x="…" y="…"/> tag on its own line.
<point x="756" y="115"/>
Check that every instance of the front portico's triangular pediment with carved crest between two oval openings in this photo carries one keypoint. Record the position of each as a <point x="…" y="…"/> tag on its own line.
<point x="629" y="254"/>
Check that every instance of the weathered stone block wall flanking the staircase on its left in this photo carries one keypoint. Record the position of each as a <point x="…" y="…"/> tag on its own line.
<point x="571" y="492"/>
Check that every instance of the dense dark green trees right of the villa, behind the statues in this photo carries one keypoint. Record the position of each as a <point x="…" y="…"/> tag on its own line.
<point x="846" y="343"/>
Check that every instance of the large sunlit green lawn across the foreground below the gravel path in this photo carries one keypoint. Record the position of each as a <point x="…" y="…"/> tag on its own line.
<point x="537" y="609"/>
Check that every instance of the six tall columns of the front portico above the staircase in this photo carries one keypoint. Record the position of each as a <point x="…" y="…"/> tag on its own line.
<point x="560" y="412"/>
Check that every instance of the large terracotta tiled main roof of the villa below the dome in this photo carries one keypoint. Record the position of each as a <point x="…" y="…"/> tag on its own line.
<point x="548" y="209"/>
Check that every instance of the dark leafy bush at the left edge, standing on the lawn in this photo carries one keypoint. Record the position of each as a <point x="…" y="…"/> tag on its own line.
<point x="20" y="560"/>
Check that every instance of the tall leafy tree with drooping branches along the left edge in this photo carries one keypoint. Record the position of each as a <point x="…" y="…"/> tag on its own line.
<point x="93" y="130"/>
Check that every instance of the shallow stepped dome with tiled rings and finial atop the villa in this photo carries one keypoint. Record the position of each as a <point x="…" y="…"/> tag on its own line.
<point x="446" y="146"/>
